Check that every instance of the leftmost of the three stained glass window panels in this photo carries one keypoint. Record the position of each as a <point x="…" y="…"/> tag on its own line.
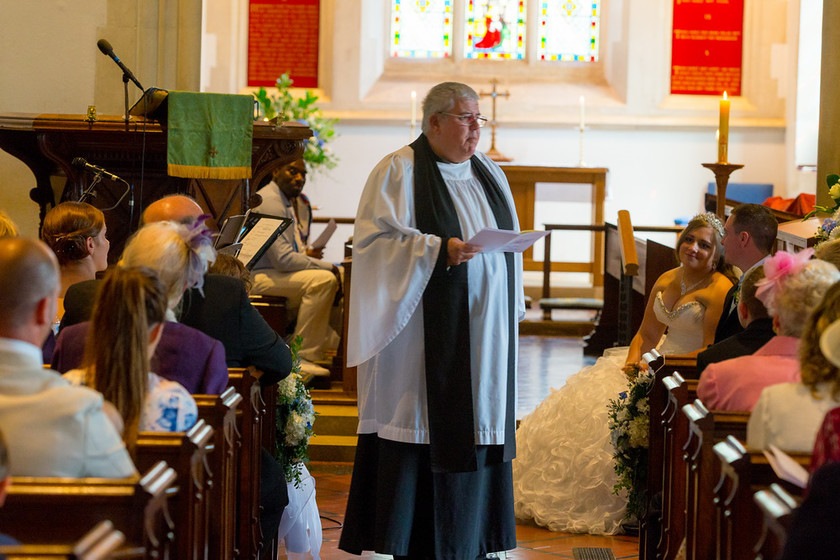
<point x="421" y="28"/>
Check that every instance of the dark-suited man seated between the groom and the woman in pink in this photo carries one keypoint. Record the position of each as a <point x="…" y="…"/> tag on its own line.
<point x="758" y="326"/>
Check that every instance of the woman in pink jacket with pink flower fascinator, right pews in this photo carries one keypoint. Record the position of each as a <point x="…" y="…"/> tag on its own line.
<point x="792" y="288"/>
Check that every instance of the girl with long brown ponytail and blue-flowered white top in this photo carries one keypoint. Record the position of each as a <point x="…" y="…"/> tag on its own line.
<point x="125" y="329"/>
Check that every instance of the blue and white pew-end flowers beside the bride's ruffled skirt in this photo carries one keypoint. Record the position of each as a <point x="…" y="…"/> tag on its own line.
<point x="629" y="420"/>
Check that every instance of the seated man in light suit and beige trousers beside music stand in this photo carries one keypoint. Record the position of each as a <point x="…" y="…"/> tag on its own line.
<point x="296" y="271"/>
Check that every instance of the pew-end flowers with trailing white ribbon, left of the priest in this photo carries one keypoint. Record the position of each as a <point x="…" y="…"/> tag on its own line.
<point x="300" y="527"/>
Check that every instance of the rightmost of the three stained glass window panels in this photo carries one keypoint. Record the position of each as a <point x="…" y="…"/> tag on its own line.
<point x="568" y="30"/>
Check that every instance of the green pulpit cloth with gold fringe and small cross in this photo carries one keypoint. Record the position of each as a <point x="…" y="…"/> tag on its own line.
<point x="209" y="135"/>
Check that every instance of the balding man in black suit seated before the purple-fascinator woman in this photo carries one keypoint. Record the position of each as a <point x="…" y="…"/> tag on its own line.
<point x="223" y="311"/>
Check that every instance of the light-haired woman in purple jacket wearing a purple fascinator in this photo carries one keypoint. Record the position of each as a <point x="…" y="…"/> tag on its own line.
<point x="179" y="254"/>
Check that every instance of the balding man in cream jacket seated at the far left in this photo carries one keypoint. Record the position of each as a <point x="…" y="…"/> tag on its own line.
<point x="51" y="427"/>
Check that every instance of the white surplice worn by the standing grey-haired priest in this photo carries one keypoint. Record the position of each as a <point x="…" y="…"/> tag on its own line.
<point x="392" y="263"/>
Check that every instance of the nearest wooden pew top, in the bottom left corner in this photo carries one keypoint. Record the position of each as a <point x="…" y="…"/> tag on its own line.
<point x="100" y="543"/>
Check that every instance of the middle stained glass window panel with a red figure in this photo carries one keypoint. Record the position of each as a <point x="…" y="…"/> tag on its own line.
<point x="495" y="29"/>
